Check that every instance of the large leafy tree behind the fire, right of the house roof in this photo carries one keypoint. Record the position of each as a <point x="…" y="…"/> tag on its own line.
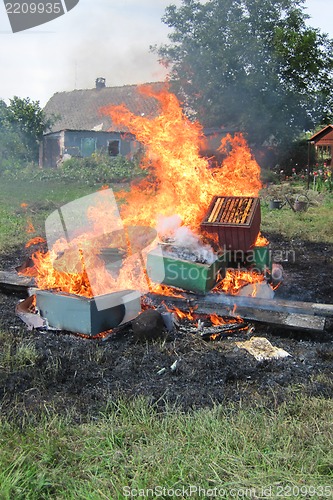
<point x="250" y="64"/>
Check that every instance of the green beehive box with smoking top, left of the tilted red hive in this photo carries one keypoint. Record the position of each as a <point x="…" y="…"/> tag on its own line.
<point x="179" y="273"/>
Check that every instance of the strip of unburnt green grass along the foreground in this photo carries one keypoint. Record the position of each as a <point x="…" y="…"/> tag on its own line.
<point x="132" y="445"/>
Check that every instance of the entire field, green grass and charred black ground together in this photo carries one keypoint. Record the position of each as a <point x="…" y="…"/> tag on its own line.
<point x="94" y="419"/>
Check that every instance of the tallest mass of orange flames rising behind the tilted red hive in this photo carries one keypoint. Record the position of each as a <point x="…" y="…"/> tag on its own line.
<point x="184" y="183"/>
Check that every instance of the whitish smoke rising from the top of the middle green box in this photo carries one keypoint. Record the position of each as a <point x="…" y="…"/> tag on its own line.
<point x="182" y="242"/>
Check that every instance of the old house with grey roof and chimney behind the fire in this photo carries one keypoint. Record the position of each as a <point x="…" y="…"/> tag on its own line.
<point x="81" y="129"/>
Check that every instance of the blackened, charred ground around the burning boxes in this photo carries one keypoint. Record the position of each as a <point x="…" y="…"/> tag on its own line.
<point x="70" y="373"/>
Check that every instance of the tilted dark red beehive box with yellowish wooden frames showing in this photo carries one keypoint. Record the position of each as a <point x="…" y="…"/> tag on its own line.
<point x="235" y="220"/>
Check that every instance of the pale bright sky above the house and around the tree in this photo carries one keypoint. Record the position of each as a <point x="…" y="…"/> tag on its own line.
<point x="97" y="38"/>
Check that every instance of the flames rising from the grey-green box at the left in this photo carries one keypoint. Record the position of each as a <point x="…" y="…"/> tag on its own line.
<point x="78" y="266"/>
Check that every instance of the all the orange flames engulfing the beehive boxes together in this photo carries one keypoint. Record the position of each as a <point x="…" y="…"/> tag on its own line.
<point x="180" y="182"/>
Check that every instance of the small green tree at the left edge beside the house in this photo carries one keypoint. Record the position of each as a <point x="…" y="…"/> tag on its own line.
<point x="26" y="120"/>
